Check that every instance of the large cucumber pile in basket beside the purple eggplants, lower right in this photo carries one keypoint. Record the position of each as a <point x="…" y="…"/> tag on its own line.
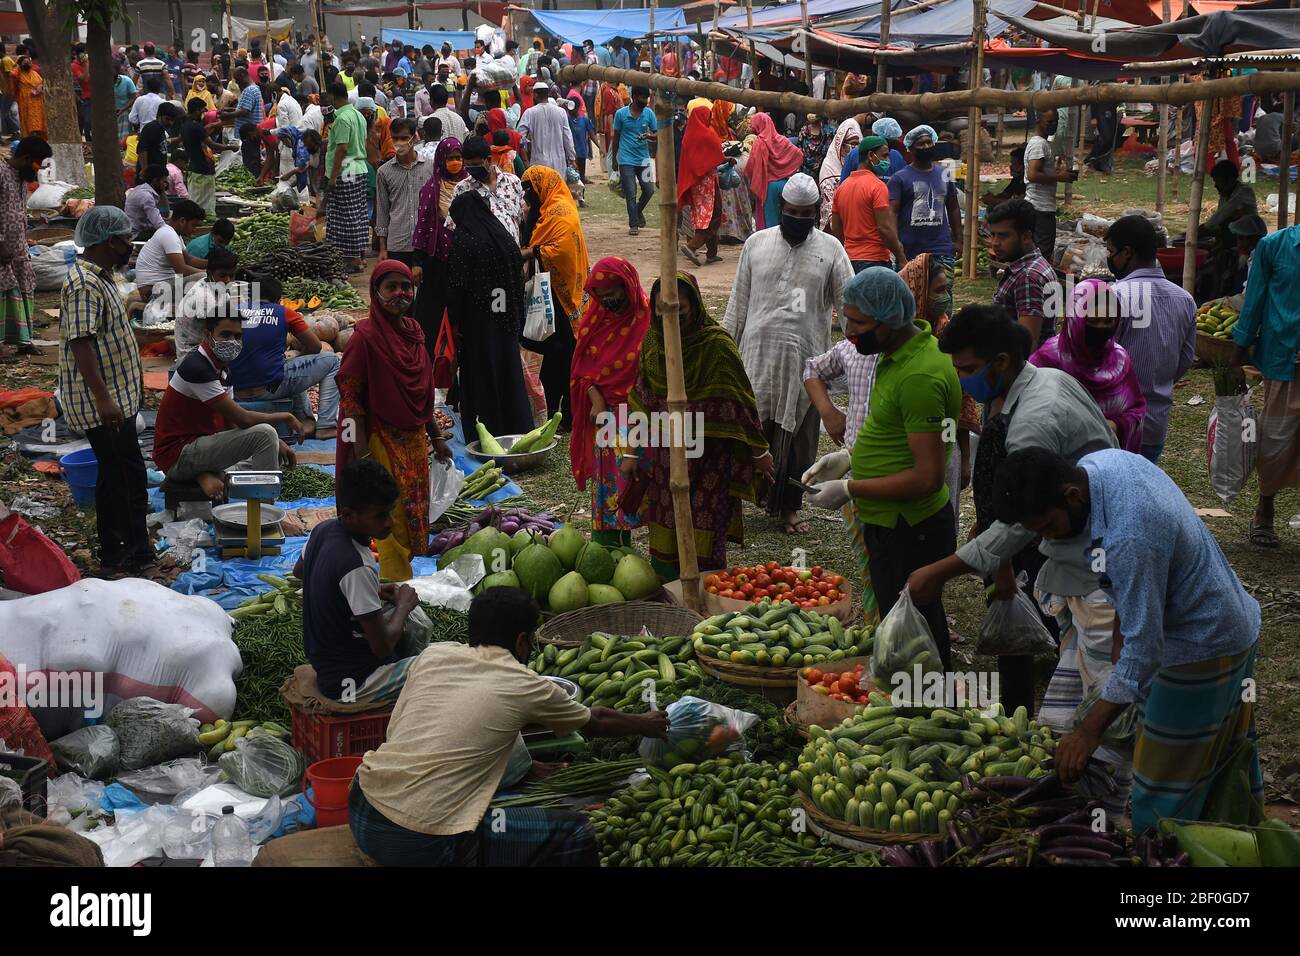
<point x="885" y="771"/>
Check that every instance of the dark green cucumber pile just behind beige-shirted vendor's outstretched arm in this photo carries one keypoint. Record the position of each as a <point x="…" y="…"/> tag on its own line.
<point x="613" y="671"/>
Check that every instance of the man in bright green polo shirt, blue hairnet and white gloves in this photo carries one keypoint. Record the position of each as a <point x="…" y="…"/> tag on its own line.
<point x="899" y="466"/>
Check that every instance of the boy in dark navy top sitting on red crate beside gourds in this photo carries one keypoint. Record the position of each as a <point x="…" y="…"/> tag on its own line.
<point x="348" y="642"/>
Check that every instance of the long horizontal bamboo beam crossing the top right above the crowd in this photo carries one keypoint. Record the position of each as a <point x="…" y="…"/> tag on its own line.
<point x="986" y="98"/>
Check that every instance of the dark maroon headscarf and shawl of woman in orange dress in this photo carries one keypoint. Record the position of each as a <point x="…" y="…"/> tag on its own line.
<point x="391" y="357"/>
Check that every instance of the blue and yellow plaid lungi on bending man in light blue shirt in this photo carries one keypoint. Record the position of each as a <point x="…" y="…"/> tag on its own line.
<point x="1193" y="723"/>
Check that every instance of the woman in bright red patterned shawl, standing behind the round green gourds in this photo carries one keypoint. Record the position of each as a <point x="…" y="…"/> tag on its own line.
<point x="606" y="357"/>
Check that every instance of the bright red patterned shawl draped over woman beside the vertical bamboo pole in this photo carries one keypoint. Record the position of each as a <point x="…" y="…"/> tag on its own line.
<point x="606" y="354"/>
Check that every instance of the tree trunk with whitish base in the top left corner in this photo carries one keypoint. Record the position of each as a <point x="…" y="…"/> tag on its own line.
<point x="49" y="28"/>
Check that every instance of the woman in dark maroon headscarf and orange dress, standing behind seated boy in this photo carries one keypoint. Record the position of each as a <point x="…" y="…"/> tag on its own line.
<point x="387" y="410"/>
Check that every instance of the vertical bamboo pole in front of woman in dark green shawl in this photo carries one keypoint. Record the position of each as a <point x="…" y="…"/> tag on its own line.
<point x="679" y="477"/>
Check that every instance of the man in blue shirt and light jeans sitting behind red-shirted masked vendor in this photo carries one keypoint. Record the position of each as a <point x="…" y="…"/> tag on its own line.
<point x="262" y="373"/>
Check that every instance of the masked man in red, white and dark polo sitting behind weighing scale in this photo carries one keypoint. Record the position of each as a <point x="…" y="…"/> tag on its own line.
<point x="189" y="440"/>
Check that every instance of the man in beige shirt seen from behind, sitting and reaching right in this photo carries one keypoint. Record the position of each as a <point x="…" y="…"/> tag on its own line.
<point x="423" y="798"/>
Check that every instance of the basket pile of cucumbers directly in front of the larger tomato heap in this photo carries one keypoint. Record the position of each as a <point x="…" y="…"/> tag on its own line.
<point x="779" y="635"/>
